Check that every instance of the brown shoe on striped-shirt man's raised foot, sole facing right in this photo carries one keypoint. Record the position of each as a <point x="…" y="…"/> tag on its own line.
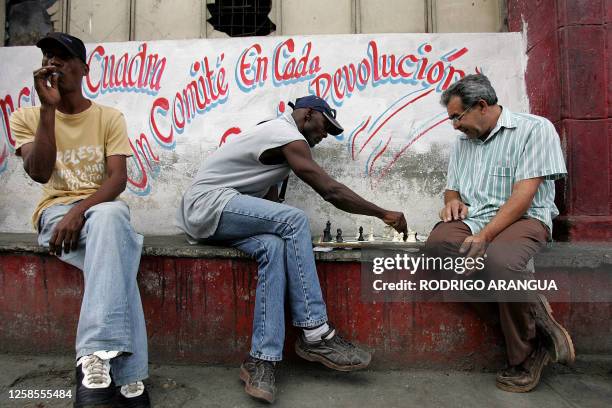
<point x="554" y="336"/>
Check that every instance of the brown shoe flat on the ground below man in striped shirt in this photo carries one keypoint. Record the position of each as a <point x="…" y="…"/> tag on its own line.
<point x="526" y="376"/>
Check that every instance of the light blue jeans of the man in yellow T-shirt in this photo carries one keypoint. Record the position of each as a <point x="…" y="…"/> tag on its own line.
<point x="111" y="316"/>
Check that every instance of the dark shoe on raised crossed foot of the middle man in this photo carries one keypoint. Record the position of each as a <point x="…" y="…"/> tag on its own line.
<point x="333" y="351"/>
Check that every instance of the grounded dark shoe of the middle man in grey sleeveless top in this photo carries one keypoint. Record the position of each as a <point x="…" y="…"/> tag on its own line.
<point x="258" y="377"/>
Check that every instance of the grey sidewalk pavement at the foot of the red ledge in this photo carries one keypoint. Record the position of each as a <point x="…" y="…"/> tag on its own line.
<point x="587" y="384"/>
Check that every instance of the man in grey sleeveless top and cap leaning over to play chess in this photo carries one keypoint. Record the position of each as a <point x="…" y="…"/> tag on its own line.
<point x="231" y="201"/>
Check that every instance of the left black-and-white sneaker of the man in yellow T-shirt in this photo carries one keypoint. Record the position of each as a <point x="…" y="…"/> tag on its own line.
<point x="95" y="387"/>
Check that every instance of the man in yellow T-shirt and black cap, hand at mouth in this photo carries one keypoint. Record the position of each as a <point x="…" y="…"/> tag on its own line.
<point x="77" y="149"/>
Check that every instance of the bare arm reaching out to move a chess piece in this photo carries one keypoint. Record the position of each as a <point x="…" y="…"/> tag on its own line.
<point x="340" y="196"/>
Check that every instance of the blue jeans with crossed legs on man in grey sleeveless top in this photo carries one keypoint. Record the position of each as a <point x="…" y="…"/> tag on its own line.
<point x="278" y="237"/>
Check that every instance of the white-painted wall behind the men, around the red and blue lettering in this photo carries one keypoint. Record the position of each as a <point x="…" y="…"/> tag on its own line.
<point x="408" y="175"/>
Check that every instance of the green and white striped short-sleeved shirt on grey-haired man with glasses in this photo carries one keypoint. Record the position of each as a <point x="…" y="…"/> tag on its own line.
<point x="520" y="146"/>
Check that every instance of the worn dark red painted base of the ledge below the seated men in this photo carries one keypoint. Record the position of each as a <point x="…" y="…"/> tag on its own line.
<point x="200" y="311"/>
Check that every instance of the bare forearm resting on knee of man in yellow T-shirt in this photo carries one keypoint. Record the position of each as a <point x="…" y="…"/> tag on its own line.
<point x="66" y="233"/>
